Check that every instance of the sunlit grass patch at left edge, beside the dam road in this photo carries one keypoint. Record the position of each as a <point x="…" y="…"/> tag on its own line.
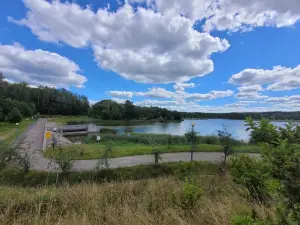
<point x="9" y="131"/>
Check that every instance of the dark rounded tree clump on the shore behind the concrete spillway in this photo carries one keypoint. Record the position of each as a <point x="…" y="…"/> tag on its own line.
<point x="111" y="110"/>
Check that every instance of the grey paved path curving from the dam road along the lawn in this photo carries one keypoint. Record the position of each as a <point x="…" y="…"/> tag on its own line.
<point x="35" y="137"/>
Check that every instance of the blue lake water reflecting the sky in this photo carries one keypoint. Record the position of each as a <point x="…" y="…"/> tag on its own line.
<point x="204" y="127"/>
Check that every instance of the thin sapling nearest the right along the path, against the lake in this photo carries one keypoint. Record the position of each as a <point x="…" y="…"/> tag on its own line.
<point x="226" y="140"/>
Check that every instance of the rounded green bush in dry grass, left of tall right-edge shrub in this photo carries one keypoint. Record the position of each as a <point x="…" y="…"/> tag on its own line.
<point x="251" y="173"/>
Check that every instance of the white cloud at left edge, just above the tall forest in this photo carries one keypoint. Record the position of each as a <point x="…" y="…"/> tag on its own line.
<point x="38" y="67"/>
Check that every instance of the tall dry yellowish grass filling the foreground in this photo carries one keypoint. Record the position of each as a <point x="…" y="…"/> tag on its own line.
<point x="155" y="201"/>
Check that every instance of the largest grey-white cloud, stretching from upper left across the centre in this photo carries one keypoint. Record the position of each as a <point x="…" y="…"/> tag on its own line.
<point x="139" y="44"/>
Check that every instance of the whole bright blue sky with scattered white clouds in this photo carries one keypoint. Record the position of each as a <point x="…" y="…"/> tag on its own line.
<point x="192" y="55"/>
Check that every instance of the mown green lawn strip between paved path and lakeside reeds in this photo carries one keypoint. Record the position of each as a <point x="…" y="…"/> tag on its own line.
<point x="94" y="151"/>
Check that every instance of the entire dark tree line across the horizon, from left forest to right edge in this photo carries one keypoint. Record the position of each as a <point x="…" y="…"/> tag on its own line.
<point x="19" y="100"/>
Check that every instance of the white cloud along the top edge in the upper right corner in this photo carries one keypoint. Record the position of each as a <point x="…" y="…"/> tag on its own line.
<point x="233" y="15"/>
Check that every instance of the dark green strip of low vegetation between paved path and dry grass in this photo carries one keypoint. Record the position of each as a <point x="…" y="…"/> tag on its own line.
<point x="12" y="176"/>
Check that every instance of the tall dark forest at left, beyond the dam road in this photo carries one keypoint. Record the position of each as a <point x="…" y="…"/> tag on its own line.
<point x="18" y="100"/>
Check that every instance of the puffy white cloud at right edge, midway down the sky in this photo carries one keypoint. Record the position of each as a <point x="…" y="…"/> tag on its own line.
<point x="278" y="79"/>
